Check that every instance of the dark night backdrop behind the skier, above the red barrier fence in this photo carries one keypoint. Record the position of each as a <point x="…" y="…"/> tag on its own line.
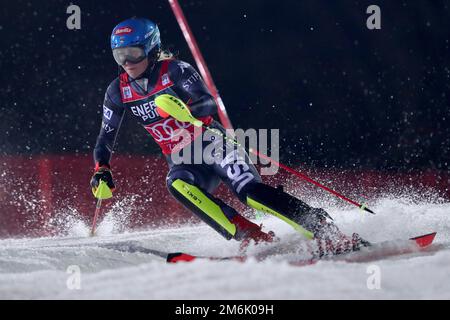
<point x="342" y="95"/>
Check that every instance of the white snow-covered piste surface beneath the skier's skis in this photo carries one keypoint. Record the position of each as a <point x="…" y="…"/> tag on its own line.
<point x="37" y="268"/>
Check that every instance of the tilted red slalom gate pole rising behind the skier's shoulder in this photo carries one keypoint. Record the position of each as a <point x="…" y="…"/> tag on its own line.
<point x="201" y="64"/>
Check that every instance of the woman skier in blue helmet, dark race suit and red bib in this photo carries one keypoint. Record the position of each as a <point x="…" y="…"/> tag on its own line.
<point x="146" y="72"/>
